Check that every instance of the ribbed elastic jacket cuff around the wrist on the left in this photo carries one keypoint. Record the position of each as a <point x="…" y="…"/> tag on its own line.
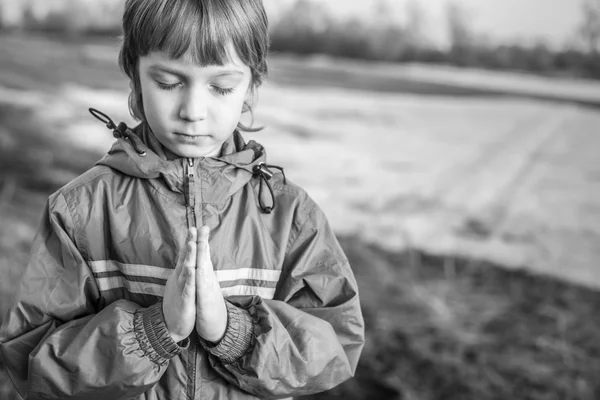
<point x="153" y="336"/>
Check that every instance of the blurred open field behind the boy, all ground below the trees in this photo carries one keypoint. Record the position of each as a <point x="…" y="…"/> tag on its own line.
<point x="433" y="197"/>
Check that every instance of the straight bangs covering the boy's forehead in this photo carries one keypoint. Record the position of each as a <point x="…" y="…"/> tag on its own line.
<point x="201" y="31"/>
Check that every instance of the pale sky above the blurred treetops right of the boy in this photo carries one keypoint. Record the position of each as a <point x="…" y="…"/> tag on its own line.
<point x="553" y="21"/>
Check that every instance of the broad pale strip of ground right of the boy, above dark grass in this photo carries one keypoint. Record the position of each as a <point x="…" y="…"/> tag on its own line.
<point x="512" y="181"/>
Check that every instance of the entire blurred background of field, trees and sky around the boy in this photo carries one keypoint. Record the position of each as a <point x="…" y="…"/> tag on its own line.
<point x="454" y="146"/>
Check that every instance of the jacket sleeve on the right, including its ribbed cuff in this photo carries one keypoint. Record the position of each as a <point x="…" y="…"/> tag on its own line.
<point x="308" y="340"/>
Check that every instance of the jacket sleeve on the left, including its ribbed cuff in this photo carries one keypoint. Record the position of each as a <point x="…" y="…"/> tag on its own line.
<point x="55" y="343"/>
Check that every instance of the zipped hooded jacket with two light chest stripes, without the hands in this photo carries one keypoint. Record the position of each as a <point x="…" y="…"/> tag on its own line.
<point x="87" y="320"/>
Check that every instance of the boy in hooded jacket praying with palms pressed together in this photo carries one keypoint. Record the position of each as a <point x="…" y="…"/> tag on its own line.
<point x="180" y="266"/>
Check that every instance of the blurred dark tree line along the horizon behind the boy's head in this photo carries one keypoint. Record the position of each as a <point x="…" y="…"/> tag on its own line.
<point x="307" y="28"/>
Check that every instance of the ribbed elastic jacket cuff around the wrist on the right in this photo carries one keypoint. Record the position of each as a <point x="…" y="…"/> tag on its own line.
<point x="238" y="336"/>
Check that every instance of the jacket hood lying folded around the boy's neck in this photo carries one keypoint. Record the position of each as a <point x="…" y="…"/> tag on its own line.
<point x="221" y="176"/>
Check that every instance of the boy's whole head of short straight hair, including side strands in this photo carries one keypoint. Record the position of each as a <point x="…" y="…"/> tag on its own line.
<point x="200" y="28"/>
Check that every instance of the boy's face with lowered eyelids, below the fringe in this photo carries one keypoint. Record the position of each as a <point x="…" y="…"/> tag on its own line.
<point x="191" y="109"/>
